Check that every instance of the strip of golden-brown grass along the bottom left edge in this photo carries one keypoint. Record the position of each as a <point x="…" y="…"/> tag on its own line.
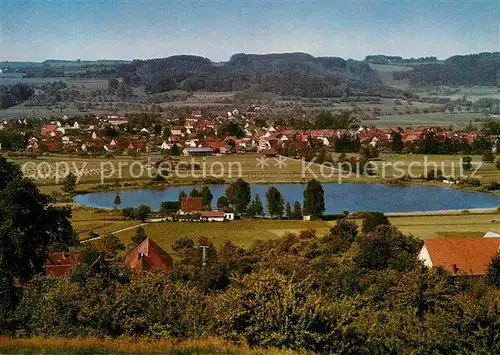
<point x="46" y="346"/>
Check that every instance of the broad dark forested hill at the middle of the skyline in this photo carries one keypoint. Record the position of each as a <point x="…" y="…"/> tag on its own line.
<point x="294" y="74"/>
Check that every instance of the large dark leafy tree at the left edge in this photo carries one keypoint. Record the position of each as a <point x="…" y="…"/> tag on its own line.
<point x="29" y="226"/>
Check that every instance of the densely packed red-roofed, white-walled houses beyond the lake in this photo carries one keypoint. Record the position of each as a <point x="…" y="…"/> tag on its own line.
<point x="198" y="135"/>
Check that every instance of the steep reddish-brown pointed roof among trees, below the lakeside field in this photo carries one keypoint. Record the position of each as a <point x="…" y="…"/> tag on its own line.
<point x="148" y="256"/>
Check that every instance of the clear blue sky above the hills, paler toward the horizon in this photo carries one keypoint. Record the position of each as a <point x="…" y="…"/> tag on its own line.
<point x="103" y="29"/>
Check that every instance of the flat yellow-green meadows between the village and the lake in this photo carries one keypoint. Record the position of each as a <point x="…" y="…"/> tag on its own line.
<point x="226" y="168"/>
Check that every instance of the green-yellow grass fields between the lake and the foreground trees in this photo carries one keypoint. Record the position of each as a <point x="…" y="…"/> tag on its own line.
<point x="245" y="232"/>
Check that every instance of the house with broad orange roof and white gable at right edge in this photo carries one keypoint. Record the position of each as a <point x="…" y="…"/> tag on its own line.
<point x="460" y="256"/>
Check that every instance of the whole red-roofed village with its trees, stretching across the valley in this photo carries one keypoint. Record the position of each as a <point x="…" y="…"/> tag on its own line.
<point x="201" y="135"/>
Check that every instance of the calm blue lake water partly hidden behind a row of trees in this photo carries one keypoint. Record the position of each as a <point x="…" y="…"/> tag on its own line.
<point x="338" y="197"/>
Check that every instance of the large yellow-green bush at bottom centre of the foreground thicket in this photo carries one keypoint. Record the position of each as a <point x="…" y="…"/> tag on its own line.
<point x="299" y="317"/>
